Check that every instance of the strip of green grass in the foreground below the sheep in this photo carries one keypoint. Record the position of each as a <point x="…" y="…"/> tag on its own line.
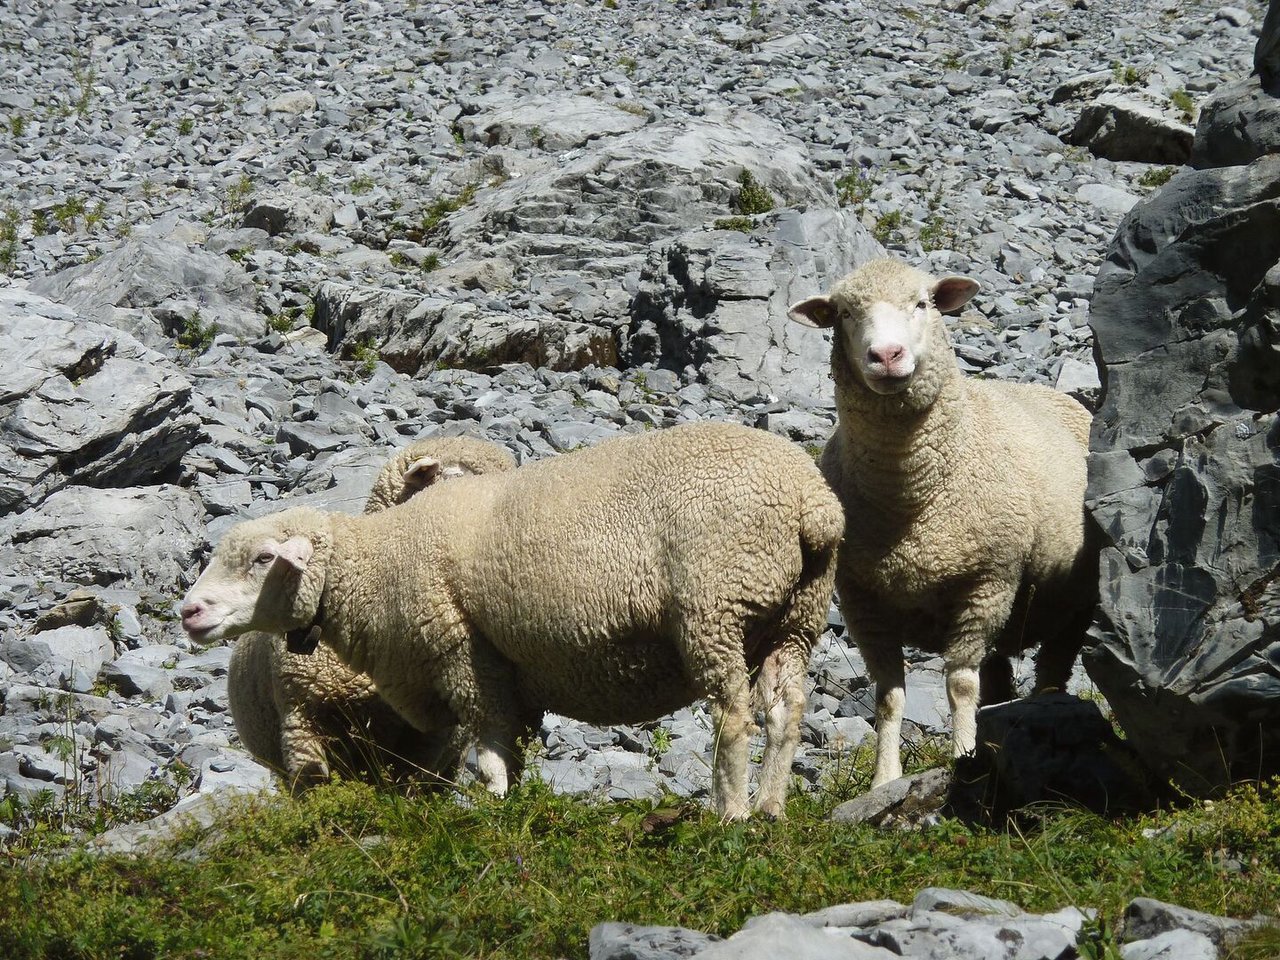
<point x="356" y="872"/>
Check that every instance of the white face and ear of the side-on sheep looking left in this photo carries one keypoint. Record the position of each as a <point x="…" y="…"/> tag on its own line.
<point x="248" y="586"/>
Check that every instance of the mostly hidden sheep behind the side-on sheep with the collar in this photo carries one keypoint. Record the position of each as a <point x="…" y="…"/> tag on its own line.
<point x="304" y="715"/>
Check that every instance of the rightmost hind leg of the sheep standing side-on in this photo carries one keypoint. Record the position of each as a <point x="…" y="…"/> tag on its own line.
<point x="780" y="691"/>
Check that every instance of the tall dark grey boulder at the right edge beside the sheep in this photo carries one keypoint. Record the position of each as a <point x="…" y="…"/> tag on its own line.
<point x="1185" y="473"/>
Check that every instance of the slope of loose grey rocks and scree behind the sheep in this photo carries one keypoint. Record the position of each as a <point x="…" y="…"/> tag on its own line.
<point x="252" y="248"/>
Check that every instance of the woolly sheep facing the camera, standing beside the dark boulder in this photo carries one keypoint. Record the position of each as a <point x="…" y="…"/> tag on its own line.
<point x="966" y="501"/>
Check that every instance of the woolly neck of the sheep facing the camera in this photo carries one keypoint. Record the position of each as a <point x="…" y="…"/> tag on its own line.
<point x="898" y="456"/>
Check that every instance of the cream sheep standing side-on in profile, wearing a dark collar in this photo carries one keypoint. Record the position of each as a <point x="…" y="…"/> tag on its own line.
<point x="612" y="584"/>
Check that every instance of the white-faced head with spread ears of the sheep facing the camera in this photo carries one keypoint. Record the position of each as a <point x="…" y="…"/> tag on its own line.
<point x="885" y="314"/>
